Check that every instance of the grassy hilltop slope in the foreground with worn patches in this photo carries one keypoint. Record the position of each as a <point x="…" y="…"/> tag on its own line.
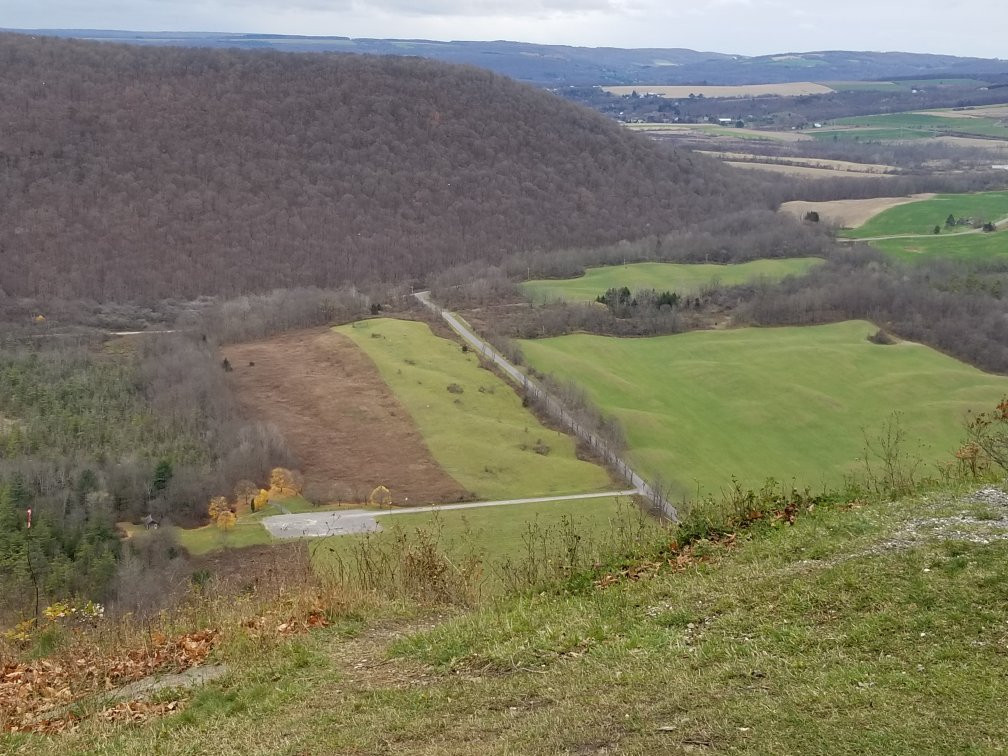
<point x="863" y="628"/>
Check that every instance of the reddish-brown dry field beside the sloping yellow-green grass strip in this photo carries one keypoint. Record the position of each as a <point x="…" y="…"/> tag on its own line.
<point x="345" y="427"/>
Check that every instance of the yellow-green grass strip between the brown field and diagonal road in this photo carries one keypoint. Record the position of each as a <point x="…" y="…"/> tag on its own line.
<point x="481" y="436"/>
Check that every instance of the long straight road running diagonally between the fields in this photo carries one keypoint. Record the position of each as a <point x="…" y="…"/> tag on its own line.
<point x="664" y="507"/>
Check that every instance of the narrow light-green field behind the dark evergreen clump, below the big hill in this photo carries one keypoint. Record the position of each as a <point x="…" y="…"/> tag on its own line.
<point x="683" y="279"/>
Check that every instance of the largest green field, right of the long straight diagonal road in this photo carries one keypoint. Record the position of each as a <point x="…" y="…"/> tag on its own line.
<point x="795" y="404"/>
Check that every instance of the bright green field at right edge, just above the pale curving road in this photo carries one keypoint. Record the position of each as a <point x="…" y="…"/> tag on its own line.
<point x="922" y="217"/>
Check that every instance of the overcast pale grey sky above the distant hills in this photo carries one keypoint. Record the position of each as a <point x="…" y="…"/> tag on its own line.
<point x="962" y="28"/>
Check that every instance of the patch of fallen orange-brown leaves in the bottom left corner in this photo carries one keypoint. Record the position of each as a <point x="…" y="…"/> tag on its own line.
<point x="36" y="696"/>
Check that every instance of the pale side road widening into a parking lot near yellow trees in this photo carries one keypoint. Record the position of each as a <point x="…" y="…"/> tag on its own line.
<point x="348" y="522"/>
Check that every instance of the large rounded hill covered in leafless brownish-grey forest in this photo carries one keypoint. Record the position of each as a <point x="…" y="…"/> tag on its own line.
<point x="135" y="174"/>
